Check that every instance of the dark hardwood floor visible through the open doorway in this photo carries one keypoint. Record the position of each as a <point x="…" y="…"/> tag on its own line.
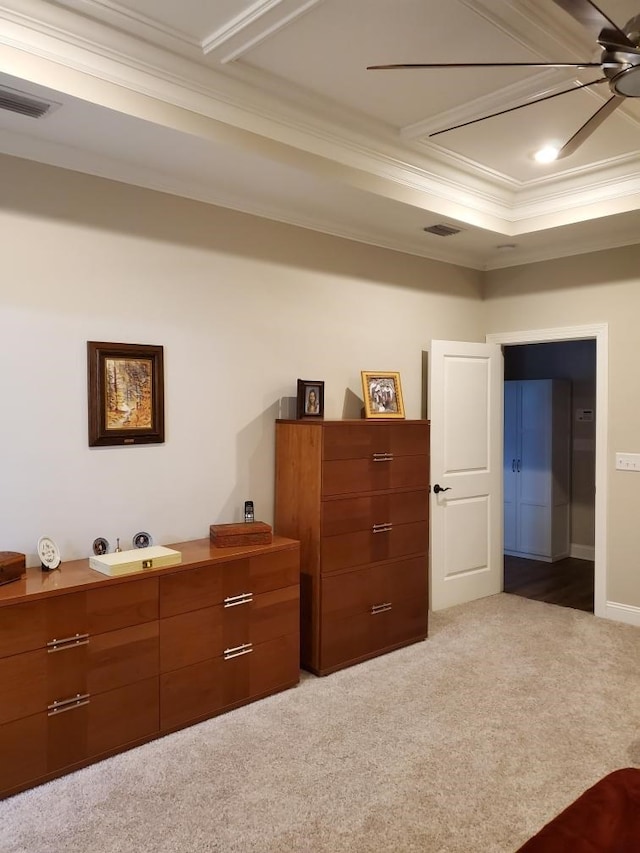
<point x="568" y="583"/>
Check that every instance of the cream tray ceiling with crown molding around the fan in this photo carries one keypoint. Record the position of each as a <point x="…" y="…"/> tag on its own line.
<point x="268" y="107"/>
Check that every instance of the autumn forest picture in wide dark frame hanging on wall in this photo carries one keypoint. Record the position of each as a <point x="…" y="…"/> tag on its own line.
<point x="126" y="394"/>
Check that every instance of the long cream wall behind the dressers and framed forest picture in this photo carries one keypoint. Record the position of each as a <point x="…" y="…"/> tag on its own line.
<point x="242" y="307"/>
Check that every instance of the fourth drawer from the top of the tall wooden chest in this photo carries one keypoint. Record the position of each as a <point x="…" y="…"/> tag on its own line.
<point x="370" y="546"/>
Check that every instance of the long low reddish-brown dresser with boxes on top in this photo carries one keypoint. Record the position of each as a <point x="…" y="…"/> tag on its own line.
<point x="92" y="665"/>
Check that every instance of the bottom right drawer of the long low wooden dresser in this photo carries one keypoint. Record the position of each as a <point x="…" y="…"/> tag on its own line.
<point x="206" y="688"/>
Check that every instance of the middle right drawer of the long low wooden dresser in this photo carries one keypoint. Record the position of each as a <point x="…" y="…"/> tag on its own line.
<point x="189" y="638"/>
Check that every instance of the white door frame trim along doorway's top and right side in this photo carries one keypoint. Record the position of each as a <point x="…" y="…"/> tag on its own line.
<point x="600" y="333"/>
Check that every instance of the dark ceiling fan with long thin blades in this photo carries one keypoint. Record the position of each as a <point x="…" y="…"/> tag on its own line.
<point x="620" y="62"/>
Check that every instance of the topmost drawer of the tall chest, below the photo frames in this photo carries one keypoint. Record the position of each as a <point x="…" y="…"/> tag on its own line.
<point x="344" y="440"/>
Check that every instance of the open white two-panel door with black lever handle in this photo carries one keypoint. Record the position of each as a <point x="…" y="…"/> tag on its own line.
<point x="466" y="471"/>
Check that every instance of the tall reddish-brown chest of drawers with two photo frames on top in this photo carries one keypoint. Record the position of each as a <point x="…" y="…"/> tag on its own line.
<point x="356" y="495"/>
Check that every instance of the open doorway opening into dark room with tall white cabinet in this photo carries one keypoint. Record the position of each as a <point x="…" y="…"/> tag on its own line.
<point x="566" y="577"/>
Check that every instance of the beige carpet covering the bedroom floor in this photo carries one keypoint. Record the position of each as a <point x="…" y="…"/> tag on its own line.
<point x="465" y="743"/>
